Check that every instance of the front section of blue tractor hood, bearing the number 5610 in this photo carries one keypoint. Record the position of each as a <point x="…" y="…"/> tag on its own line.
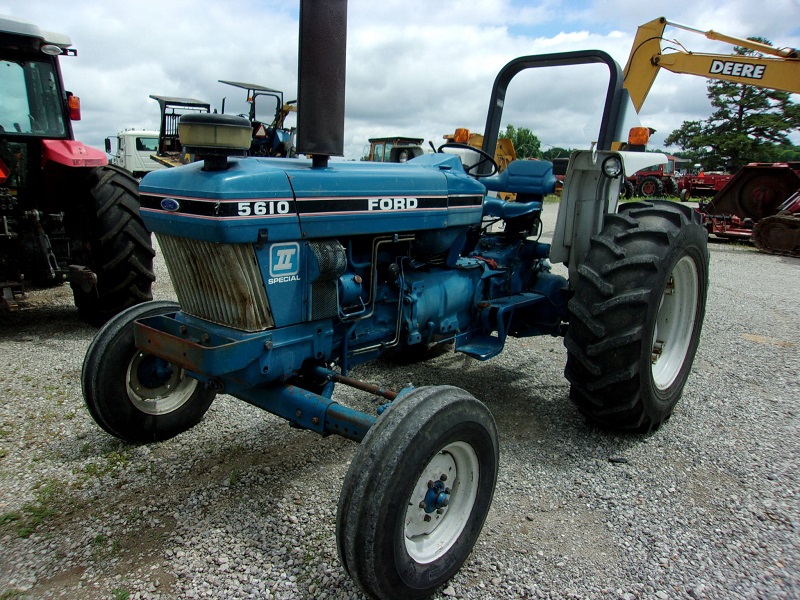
<point x="249" y="201"/>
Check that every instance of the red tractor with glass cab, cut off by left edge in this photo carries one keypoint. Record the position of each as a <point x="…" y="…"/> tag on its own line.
<point x="65" y="213"/>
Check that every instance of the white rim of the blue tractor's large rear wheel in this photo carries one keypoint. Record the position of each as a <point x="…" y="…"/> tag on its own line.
<point x="674" y="323"/>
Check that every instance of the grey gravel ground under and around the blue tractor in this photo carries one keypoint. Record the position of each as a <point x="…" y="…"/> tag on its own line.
<point x="242" y="506"/>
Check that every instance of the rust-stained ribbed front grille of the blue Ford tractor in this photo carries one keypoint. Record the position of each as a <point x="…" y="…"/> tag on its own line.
<point x="220" y="283"/>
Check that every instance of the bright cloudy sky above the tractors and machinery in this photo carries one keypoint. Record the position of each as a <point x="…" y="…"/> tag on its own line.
<point x="414" y="67"/>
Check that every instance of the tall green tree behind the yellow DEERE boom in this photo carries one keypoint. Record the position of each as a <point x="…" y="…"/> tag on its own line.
<point x="749" y="124"/>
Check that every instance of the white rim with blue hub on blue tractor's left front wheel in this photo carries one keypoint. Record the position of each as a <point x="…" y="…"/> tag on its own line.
<point x="157" y="387"/>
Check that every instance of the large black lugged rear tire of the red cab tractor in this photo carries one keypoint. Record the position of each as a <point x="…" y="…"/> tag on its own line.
<point x="116" y="246"/>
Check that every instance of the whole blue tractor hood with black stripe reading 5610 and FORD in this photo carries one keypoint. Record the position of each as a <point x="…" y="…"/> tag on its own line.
<point x="259" y="199"/>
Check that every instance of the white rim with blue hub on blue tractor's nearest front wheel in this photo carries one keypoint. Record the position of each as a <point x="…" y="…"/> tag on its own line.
<point x="440" y="505"/>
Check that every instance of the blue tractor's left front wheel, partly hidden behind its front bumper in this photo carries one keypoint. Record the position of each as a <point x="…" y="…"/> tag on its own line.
<point x="134" y="395"/>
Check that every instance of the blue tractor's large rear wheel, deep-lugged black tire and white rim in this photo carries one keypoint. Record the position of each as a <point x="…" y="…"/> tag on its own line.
<point x="636" y="315"/>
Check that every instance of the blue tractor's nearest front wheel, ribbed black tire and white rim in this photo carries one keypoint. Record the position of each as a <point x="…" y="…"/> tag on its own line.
<point x="393" y="538"/>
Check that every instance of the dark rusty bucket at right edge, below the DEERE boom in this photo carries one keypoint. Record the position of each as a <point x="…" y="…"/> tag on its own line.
<point x="756" y="191"/>
